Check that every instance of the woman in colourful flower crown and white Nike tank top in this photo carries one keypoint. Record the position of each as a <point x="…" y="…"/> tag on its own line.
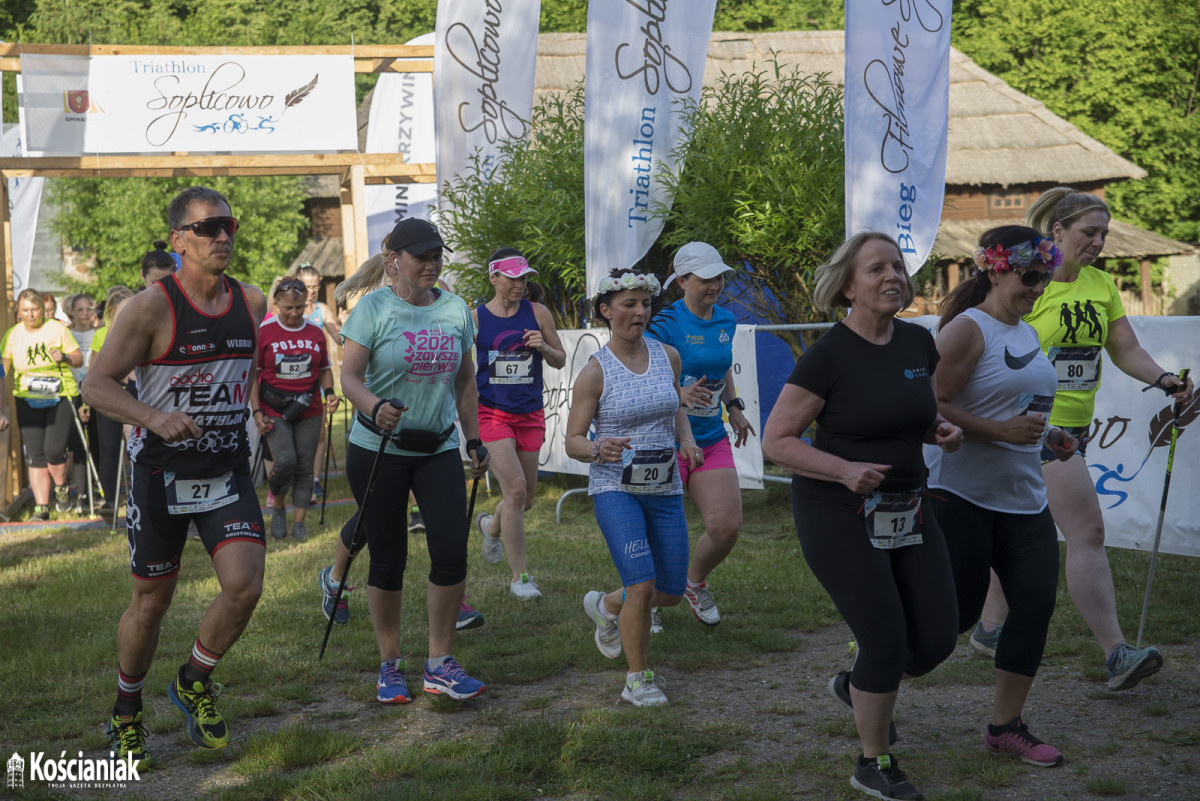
<point x="989" y="497"/>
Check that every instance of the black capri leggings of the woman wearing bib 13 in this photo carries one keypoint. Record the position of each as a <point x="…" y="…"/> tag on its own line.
<point x="899" y="604"/>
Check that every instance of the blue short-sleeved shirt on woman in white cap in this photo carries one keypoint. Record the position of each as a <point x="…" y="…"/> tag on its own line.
<point x="706" y="350"/>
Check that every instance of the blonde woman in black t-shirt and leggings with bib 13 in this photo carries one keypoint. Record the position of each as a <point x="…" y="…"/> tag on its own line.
<point x="865" y="528"/>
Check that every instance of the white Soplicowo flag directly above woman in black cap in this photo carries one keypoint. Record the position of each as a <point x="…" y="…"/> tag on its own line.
<point x="483" y="79"/>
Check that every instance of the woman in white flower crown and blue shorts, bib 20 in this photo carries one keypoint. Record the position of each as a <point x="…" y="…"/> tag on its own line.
<point x="631" y="392"/>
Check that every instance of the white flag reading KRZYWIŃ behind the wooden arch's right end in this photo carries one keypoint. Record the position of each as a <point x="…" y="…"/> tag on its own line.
<point x="401" y="123"/>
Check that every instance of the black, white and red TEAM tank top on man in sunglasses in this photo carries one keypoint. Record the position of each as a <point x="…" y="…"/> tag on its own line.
<point x="203" y="375"/>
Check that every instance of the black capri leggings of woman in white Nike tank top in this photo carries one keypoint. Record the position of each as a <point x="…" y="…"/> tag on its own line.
<point x="1024" y="552"/>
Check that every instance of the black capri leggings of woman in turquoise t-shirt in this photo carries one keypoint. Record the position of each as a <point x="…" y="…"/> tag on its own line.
<point x="437" y="483"/>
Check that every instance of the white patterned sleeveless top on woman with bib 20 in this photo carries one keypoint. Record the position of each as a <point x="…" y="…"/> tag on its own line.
<point x="641" y="407"/>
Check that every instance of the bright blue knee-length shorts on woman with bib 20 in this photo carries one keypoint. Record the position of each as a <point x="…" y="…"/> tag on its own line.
<point x="647" y="537"/>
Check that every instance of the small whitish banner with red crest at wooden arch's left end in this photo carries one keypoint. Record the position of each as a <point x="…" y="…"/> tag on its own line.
<point x="56" y="104"/>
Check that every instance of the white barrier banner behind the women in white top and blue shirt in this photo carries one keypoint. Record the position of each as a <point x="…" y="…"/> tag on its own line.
<point x="581" y="345"/>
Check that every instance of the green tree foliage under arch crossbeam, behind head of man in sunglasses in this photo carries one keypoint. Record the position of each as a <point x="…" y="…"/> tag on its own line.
<point x="116" y="221"/>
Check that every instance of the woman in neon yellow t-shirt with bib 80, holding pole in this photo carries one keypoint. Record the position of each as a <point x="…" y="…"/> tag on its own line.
<point x="1081" y="314"/>
